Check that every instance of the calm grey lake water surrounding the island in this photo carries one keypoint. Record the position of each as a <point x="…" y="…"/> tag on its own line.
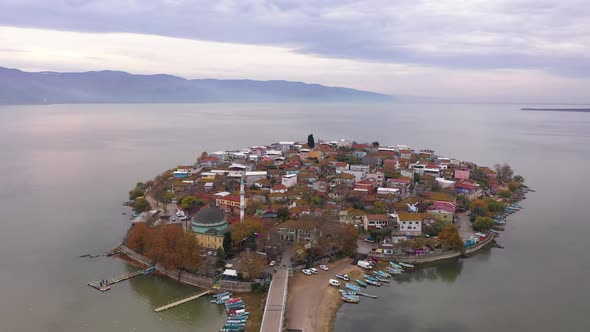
<point x="65" y="169"/>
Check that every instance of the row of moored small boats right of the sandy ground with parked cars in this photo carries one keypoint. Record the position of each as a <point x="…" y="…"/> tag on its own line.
<point x="352" y="292"/>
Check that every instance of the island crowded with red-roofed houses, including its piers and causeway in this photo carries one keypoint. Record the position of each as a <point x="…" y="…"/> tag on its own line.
<point x="283" y="234"/>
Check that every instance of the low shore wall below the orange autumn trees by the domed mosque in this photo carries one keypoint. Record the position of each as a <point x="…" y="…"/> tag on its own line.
<point x="186" y="277"/>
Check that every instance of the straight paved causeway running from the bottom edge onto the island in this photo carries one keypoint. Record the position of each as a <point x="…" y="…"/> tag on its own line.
<point x="276" y="301"/>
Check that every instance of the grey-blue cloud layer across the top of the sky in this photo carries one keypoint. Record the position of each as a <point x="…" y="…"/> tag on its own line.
<point x="548" y="35"/>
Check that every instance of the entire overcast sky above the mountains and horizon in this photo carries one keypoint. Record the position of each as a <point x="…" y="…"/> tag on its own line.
<point x="470" y="50"/>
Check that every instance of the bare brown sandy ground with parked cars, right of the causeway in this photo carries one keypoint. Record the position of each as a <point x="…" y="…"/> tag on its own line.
<point x="312" y="303"/>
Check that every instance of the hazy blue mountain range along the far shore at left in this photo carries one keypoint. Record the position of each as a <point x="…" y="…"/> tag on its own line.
<point x="19" y="87"/>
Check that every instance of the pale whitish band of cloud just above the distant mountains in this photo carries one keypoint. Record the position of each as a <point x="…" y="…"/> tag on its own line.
<point x="41" y="49"/>
